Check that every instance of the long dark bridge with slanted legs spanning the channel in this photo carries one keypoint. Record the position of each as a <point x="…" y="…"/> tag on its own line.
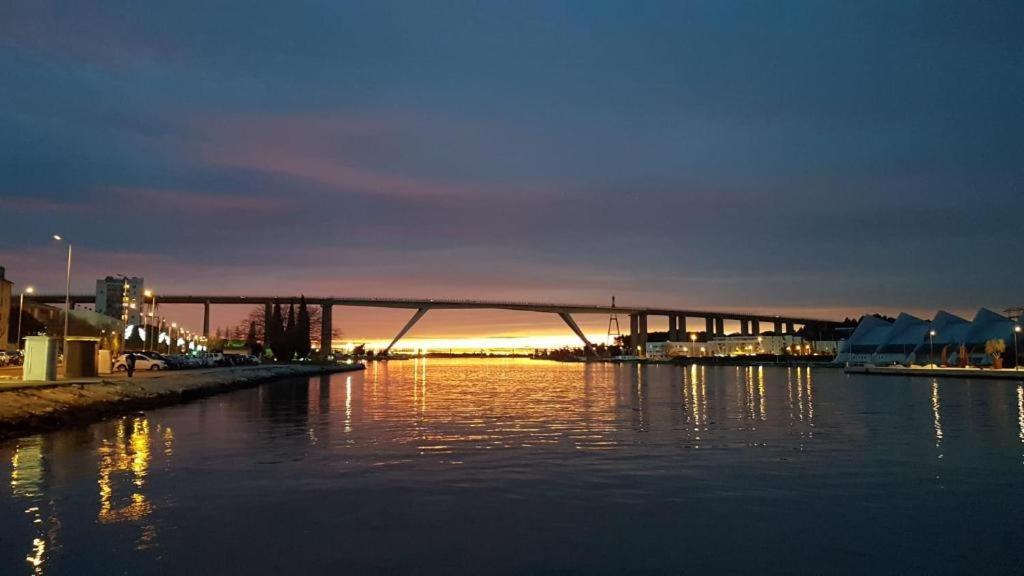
<point x="750" y="324"/>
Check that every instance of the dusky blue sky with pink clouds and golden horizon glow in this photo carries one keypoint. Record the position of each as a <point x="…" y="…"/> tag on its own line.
<point x="827" y="158"/>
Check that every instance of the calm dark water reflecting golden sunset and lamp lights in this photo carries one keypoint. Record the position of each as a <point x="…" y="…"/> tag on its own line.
<point x="451" y="467"/>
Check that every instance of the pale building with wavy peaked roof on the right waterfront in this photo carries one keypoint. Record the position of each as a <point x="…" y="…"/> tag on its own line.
<point x="947" y="340"/>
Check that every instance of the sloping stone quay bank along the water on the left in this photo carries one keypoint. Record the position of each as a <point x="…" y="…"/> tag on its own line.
<point x="32" y="407"/>
